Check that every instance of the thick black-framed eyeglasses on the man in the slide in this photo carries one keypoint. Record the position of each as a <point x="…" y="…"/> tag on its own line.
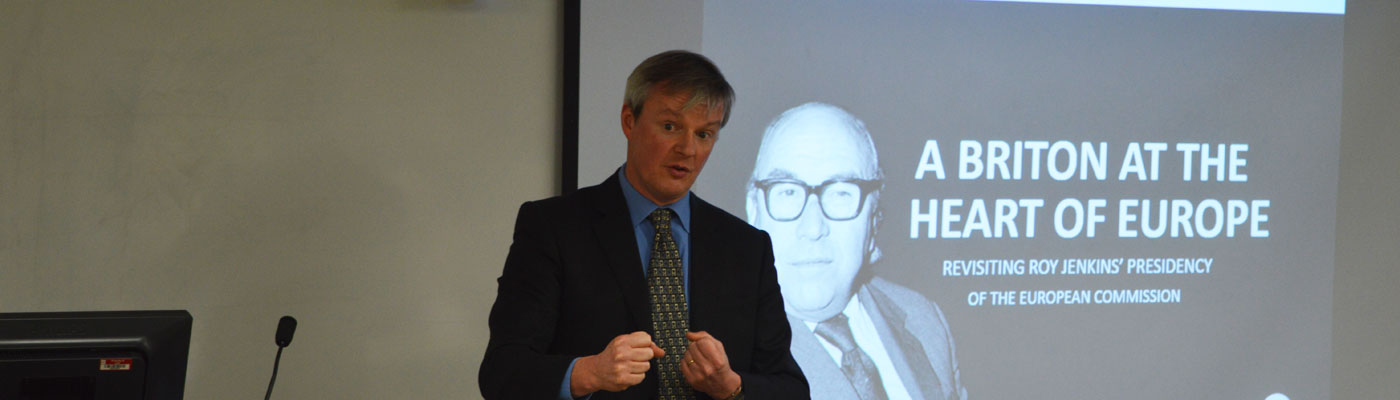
<point x="839" y="199"/>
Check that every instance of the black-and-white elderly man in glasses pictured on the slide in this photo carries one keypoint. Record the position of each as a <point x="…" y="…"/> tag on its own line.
<point x="815" y="188"/>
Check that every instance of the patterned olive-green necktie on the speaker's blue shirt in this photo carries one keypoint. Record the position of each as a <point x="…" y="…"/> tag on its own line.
<point x="670" y="313"/>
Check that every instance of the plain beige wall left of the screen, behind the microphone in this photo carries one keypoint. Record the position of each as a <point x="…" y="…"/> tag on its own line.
<point x="355" y="164"/>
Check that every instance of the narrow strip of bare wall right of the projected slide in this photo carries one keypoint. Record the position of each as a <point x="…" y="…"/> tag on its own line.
<point x="1367" y="304"/>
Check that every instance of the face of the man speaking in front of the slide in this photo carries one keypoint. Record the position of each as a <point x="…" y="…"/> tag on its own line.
<point x="668" y="143"/>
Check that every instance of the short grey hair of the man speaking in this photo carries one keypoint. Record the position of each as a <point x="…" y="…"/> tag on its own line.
<point x="680" y="72"/>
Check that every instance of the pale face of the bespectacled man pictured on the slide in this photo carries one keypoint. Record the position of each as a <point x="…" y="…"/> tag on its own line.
<point x="817" y="258"/>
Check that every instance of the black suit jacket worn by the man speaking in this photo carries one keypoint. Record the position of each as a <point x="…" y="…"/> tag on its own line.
<point x="573" y="282"/>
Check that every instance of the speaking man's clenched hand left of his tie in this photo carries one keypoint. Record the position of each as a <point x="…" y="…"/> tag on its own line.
<point x="621" y="366"/>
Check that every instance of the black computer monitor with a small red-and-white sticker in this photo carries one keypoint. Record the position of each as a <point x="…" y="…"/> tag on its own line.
<point x="94" y="356"/>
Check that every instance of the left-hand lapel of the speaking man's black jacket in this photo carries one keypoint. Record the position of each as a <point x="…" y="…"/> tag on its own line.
<point x="618" y="240"/>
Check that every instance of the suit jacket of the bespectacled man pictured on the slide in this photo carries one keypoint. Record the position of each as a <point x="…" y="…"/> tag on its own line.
<point x="915" y="335"/>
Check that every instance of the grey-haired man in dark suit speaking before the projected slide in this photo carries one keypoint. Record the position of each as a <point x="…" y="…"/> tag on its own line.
<point x="636" y="289"/>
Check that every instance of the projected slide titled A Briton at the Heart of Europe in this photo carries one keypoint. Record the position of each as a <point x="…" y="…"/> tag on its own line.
<point x="1023" y="201"/>
